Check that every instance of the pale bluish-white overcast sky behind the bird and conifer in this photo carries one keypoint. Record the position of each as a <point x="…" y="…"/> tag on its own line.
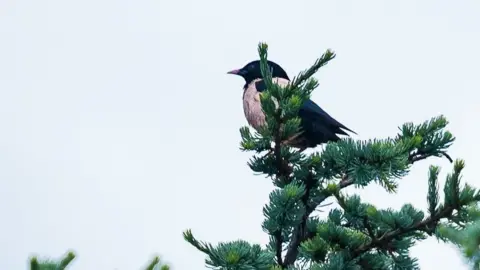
<point x="119" y="126"/>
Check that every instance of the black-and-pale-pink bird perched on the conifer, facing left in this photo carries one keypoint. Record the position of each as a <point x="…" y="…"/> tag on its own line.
<point x="316" y="126"/>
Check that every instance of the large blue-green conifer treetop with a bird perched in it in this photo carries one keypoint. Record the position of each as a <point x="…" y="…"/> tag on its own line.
<point x="356" y="235"/>
